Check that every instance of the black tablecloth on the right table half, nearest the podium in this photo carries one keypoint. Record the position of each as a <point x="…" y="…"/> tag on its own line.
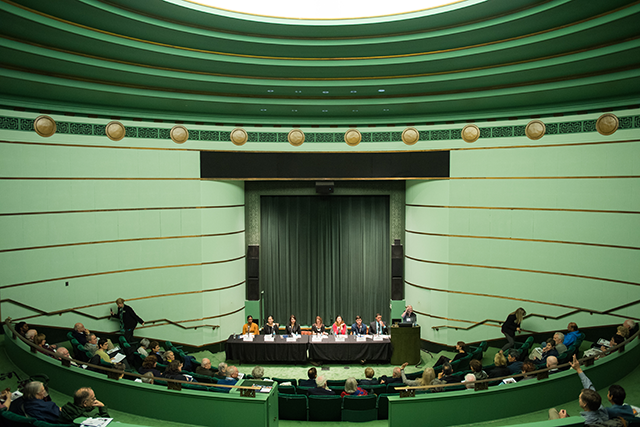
<point x="350" y="350"/>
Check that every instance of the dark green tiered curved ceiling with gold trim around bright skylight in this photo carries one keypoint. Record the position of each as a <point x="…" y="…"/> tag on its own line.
<point x="155" y="59"/>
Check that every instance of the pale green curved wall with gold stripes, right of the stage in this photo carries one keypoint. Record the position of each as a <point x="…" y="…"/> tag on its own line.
<point x="552" y="227"/>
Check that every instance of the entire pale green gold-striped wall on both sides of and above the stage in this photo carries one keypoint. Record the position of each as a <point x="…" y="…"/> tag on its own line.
<point x="550" y="225"/>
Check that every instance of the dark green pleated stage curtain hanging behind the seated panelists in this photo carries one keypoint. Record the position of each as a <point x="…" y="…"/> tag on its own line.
<point x="325" y="256"/>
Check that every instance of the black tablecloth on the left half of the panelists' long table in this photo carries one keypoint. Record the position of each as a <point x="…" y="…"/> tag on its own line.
<point x="260" y="351"/>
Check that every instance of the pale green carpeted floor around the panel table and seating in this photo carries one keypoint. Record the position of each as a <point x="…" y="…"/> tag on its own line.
<point x="631" y="383"/>
